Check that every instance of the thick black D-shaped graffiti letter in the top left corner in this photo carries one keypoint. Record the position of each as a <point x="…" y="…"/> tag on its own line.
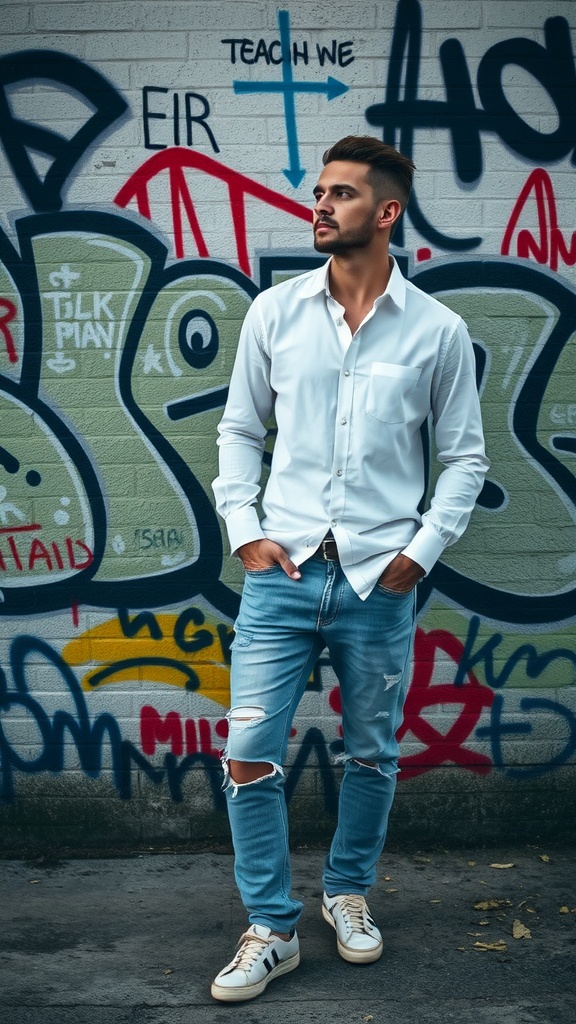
<point x="20" y="137"/>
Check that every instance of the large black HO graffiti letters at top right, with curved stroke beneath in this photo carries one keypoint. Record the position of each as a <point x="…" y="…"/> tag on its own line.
<point x="403" y="113"/>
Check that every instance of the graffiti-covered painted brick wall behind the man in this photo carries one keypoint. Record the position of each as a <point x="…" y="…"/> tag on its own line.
<point x="157" y="172"/>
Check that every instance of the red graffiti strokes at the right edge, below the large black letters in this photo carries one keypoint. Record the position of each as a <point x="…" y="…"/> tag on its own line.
<point x="550" y="246"/>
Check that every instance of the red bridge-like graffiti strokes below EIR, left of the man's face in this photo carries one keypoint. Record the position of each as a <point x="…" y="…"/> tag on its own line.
<point x="175" y="162"/>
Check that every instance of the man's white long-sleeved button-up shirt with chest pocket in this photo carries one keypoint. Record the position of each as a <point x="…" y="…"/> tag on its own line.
<point x="349" y="453"/>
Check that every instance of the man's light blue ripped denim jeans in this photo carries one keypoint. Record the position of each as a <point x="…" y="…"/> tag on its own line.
<point x="282" y="628"/>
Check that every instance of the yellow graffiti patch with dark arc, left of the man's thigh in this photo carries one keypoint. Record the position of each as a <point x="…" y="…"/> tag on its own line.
<point x="108" y="657"/>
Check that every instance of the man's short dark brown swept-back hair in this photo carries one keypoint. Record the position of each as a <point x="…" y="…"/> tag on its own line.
<point x="391" y="174"/>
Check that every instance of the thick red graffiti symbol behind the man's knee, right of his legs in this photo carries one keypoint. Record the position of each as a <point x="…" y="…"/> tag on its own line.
<point x="469" y="702"/>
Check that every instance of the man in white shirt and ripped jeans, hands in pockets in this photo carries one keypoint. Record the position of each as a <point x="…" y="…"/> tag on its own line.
<point x="352" y="360"/>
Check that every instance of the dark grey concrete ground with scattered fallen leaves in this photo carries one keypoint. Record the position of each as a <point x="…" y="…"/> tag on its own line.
<point x="471" y="937"/>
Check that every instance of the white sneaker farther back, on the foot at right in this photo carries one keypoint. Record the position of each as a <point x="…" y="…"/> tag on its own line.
<point x="358" y="938"/>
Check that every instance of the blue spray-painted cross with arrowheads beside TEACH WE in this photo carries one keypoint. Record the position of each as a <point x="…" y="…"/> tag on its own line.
<point x="290" y="89"/>
